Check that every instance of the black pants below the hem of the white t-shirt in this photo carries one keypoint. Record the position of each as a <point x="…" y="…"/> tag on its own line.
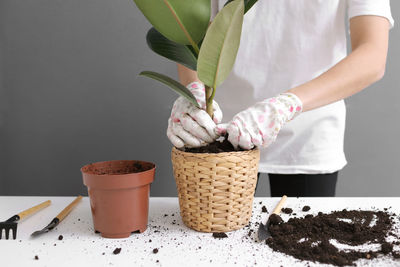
<point x="303" y="185"/>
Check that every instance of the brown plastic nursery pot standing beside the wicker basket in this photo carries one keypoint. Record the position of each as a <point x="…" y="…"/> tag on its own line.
<point x="119" y="195"/>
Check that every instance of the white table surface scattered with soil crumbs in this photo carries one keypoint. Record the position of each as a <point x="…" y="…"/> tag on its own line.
<point x="177" y="244"/>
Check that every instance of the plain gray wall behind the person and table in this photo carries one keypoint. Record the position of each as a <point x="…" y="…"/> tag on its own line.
<point x="70" y="95"/>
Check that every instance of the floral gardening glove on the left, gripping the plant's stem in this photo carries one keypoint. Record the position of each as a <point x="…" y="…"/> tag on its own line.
<point x="191" y="126"/>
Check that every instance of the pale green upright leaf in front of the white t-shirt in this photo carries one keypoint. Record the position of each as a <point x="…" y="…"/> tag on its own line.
<point x="220" y="45"/>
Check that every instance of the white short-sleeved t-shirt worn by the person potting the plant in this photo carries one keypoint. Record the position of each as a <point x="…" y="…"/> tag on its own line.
<point x="286" y="43"/>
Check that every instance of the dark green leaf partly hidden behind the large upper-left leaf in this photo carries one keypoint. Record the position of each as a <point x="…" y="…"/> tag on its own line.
<point x="177" y="52"/>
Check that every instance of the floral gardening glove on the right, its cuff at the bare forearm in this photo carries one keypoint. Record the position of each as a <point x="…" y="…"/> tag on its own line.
<point x="260" y="124"/>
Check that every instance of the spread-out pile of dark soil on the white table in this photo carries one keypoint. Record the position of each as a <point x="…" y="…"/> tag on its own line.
<point x="310" y="238"/>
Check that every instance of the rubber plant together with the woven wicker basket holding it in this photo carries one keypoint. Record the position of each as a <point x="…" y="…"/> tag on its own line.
<point x="182" y="32"/>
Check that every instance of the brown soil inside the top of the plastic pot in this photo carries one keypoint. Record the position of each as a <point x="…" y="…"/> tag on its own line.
<point x="134" y="167"/>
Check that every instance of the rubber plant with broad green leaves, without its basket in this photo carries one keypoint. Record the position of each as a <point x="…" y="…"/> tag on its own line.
<point x="182" y="33"/>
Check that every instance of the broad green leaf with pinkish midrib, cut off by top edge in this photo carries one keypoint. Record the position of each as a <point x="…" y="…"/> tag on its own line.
<point x="182" y="21"/>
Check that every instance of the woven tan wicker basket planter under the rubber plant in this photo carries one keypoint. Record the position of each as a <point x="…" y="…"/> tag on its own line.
<point x="215" y="191"/>
